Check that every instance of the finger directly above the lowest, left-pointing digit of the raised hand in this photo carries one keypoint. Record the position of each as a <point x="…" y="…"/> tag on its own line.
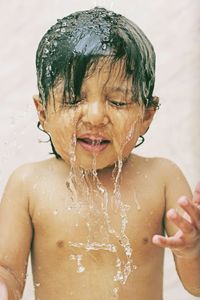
<point x="184" y="225"/>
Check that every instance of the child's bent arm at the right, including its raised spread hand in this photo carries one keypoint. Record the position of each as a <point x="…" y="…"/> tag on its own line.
<point x="182" y="224"/>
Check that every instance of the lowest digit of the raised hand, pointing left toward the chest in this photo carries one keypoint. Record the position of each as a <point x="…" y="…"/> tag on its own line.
<point x="167" y="242"/>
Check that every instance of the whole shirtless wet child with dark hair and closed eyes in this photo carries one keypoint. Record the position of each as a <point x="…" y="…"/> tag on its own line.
<point x="94" y="216"/>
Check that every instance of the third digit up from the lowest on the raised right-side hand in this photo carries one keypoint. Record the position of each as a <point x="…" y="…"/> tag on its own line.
<point x="192" y="210"/>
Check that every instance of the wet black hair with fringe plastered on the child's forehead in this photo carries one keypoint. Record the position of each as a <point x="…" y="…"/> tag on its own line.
<point x="78" y="41"/>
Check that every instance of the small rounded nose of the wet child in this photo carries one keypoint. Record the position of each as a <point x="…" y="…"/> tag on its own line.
<point x="95" y="113"/>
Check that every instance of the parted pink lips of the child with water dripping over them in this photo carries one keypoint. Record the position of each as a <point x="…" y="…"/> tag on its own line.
<point x="93" y="143"/>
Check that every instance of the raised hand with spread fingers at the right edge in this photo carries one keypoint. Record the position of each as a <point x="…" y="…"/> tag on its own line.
<point x="186" y="242"/>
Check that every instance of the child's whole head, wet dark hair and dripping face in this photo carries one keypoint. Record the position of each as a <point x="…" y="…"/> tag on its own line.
<point x="69" y="66"/>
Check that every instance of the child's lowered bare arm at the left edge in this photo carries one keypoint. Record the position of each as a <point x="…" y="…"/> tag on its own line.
<point x="15" y="236"/>
